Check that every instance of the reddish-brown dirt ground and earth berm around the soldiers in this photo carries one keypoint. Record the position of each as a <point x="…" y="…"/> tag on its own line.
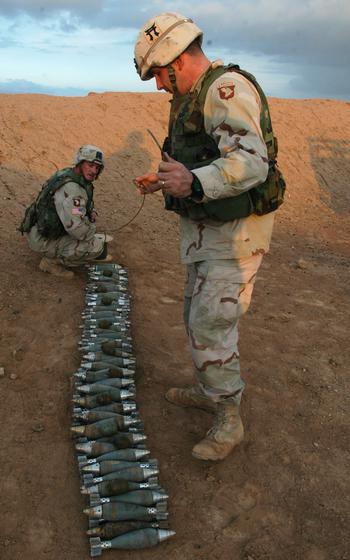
<point x="284" y="493"/>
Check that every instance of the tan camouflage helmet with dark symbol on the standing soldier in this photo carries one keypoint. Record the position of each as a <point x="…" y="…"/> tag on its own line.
<point x="161" y="40"/>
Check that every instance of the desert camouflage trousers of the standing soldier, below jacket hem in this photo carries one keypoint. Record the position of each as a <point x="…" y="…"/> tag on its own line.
<point x="217" y="294"/>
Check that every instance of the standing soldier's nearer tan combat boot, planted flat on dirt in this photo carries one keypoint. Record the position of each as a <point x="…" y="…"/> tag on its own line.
<point x="226" y="433"/>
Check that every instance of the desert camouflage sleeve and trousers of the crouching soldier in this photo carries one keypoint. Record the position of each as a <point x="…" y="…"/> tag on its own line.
<point x="82" y="243"/>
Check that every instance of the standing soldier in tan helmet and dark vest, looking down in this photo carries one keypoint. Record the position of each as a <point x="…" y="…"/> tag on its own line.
<point x="219" y="173"/>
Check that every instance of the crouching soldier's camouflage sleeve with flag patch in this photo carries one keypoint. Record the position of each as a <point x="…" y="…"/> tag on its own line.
<point x="70" y="202"/>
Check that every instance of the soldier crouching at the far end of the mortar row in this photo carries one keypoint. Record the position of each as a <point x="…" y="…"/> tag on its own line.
<point x="60" y="223"/>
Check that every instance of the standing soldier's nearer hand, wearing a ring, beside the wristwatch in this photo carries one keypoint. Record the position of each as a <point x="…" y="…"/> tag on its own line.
<point x="174" y="178"/>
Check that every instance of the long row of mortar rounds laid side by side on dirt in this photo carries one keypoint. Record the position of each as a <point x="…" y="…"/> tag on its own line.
<point x="127" y="508"/>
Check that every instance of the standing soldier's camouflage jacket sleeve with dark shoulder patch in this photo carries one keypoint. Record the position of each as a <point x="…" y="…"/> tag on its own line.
<point x="232" y="118"/>
